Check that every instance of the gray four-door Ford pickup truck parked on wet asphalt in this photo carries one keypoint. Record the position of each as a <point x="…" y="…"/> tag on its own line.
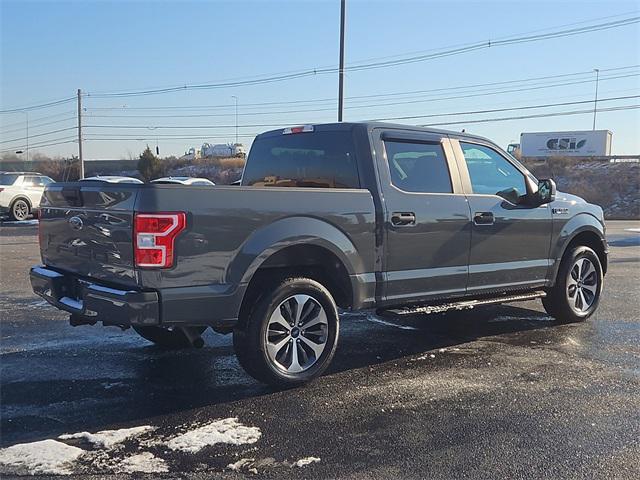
<point x="345" y="216"/>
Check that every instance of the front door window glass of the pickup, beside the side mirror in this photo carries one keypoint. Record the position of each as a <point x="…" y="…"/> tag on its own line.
<point x="490" y="172"/>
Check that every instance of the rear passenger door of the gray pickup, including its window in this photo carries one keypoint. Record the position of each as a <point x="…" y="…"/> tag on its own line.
<point x="426" y="217"/>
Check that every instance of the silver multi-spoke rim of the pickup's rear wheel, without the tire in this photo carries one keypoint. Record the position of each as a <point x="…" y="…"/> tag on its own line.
<point x="296" y="334"/>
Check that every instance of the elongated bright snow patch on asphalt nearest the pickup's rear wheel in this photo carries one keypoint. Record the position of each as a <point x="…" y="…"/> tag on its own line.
<point x="227" y="430"/>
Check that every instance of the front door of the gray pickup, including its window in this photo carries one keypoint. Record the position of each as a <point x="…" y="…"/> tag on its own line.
<point x="509" y="242"/>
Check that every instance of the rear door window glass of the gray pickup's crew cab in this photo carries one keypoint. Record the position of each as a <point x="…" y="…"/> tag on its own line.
<point x="418" y="167"/>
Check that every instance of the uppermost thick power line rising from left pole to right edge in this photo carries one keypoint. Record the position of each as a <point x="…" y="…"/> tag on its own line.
<point x="375" y="65"/>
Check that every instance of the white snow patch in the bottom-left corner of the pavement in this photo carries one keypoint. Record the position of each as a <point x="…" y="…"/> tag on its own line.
<point x="46" y="457"/>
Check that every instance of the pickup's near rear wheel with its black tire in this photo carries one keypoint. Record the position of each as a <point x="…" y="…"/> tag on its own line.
<point x="251" y="337"/>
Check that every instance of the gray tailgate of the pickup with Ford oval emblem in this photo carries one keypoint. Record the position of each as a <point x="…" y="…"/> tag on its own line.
<point x="86" y="228"/>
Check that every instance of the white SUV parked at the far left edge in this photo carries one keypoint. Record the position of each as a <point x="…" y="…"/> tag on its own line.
<point x="20" y="192"/>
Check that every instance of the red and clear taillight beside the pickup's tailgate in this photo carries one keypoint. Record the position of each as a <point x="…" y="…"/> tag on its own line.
<point x="154" y="237"/>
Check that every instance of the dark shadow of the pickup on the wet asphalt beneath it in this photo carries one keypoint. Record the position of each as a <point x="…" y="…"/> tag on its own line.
<point x="109" y="384"/>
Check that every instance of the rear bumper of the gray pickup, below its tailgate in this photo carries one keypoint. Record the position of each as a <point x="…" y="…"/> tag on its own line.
<point x="90" y="302"/>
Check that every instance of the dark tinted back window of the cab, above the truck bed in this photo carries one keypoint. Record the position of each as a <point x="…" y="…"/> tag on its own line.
<point x="309" y="159"/>
